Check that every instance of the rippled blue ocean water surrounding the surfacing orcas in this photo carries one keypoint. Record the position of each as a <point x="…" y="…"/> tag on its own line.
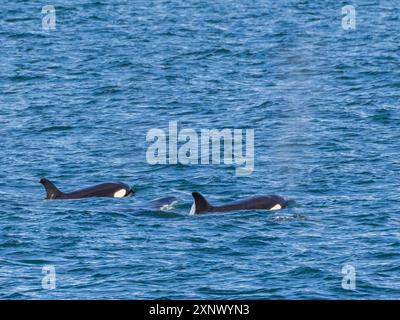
<point x="77" y="102"/>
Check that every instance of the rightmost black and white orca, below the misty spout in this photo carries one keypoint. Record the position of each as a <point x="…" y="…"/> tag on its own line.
<point x="272" y="202"/>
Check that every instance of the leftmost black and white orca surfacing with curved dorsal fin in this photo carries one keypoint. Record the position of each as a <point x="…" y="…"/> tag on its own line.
<point x="110" y="189"/>
